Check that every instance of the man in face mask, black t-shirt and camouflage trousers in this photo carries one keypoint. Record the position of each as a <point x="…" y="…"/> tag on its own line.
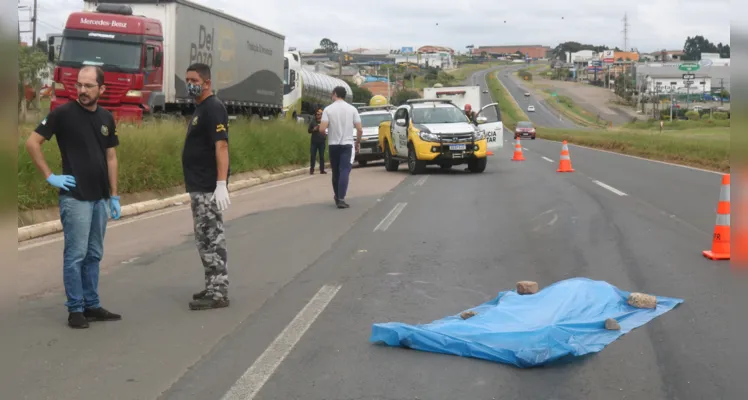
<point x="205" y="161"/>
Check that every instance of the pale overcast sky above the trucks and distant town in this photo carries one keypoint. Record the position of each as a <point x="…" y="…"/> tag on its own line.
<point x="653" y="24"/>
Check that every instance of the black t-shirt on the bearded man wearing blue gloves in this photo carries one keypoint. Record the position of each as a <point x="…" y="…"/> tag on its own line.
<point x="83" y="137"/>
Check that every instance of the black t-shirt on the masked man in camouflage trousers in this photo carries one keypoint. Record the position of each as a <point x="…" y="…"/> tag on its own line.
<point x="209" y="124"/>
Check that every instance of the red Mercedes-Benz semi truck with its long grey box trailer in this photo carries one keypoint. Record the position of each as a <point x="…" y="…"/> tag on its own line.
<point x="146" y="46"/>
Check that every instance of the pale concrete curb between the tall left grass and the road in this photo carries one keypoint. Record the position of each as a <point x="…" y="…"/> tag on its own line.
<point x="47" y="228"/>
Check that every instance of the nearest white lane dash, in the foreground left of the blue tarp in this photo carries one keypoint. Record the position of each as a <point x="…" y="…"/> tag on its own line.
<point x="247" y="387"/>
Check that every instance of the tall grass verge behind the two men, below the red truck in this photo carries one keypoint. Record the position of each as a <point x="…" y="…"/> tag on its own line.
<point x="150" y="156"/>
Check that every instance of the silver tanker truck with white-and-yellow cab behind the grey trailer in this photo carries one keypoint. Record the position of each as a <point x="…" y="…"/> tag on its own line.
<point x="306" y="91"/>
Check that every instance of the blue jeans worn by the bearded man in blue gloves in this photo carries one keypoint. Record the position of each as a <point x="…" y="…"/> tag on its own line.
<point x="84" y="226"/>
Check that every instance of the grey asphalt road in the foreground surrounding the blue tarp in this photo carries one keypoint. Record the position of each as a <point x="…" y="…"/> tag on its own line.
<point x="308" y="281"/>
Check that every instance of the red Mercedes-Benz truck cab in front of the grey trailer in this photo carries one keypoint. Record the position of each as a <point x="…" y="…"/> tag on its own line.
<point x="127" y="47"/>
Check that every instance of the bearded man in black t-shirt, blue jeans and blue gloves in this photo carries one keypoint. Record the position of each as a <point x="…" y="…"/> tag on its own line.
<point x="86" y="135"/>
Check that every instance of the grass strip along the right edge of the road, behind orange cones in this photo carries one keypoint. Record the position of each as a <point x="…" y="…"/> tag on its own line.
<point x="707" y="148"/>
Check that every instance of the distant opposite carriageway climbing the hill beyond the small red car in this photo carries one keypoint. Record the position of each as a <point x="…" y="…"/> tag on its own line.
<point x="543" y="115"/>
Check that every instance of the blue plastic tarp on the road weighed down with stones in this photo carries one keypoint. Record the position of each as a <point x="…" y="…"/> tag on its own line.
<point x="566" y="318"/>
